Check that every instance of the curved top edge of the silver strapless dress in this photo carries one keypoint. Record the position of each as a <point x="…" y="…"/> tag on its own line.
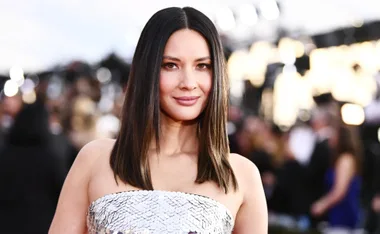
<point x="166" y="192"/>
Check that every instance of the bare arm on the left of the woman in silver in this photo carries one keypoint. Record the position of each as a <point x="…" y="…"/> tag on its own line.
<point x="70" y="216"/>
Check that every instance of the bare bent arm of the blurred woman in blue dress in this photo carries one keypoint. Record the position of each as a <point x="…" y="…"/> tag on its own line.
<point x="344" y="172"/>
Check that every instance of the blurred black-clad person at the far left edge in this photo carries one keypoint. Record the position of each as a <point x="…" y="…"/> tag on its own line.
<point x="31" y="174"/>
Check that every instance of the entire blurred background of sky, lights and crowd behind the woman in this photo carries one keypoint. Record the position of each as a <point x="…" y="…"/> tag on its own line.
<point x="304" y="99"/>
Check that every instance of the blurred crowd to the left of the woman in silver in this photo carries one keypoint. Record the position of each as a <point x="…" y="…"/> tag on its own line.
<point x="41" y="137"/>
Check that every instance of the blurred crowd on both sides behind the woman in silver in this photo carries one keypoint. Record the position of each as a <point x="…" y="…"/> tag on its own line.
<point x="317" y="174"/>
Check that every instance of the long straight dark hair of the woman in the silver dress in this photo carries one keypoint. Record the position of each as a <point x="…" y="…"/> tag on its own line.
<point x="141" y="111"/>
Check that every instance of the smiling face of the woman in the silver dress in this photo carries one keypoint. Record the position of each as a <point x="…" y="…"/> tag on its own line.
<point x="186" y="75"/>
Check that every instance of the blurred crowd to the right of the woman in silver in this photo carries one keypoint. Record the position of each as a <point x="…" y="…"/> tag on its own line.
<point x="318" y="175"/>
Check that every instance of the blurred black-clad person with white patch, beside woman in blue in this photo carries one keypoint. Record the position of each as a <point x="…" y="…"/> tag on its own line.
<point x="302" y="176"/>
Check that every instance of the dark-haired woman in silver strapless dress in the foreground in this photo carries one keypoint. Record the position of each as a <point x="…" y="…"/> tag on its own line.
<point x="169" y="170"/>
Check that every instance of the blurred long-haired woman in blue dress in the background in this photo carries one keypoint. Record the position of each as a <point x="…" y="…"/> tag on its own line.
<point x="341" y="203"/>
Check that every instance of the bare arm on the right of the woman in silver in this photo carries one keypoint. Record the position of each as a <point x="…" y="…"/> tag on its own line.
<point x="252" y="216"/>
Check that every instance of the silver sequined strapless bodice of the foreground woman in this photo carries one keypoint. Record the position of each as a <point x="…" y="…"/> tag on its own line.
<point x="158" y="212"/>
